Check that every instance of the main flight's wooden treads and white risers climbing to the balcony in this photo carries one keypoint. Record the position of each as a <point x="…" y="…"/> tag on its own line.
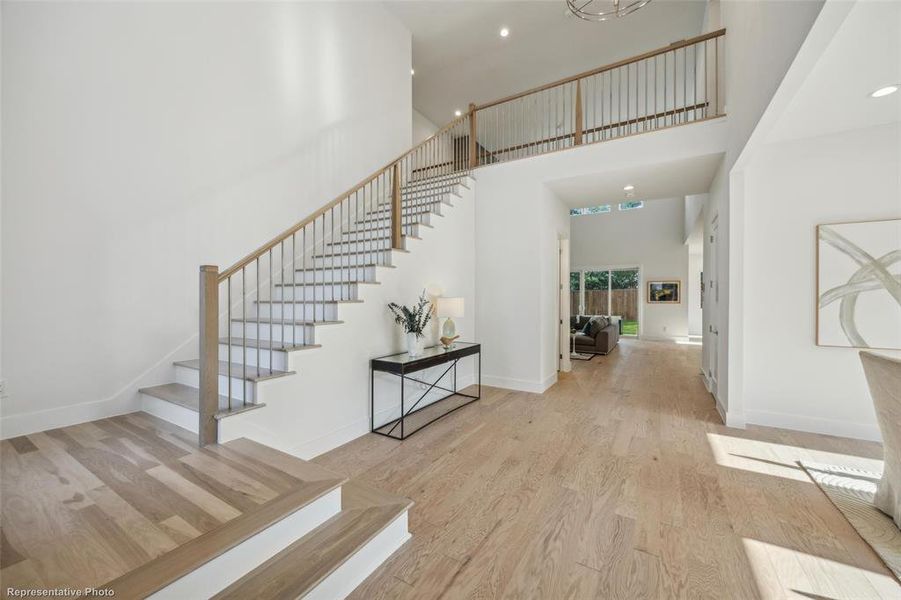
<point x="258" y="345"/>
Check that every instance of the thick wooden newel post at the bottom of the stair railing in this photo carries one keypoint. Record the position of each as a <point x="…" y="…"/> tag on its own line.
<point x="209" y="354"/>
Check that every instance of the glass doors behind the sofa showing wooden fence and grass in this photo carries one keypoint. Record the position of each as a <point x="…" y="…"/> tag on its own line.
<point x="608" y="291"/>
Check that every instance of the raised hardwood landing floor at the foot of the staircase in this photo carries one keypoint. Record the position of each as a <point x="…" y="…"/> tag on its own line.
<point x="83" y="505"/>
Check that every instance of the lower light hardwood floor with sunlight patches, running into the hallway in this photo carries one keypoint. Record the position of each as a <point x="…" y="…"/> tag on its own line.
<point x="619" y="482"/>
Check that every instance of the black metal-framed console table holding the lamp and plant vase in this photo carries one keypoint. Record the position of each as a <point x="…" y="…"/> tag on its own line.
<point x="403" y="365"/>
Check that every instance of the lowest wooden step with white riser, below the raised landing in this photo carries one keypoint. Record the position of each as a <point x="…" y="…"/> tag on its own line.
<point x="331" y="560"/>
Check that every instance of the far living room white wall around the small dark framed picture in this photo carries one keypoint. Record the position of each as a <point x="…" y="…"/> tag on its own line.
<point x="649" y="238"/>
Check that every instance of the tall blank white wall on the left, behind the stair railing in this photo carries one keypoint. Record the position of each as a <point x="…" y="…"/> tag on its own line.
<point x="144" y="139"/>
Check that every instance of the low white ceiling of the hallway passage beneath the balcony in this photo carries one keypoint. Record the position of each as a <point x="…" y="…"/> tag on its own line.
<point x="664" y="180"/>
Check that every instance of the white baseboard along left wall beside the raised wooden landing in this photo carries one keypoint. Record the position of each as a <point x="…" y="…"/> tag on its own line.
<point x="63" y="416"/>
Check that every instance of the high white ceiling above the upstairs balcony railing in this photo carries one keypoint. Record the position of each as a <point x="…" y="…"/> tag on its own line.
<point x="460" y="58"/>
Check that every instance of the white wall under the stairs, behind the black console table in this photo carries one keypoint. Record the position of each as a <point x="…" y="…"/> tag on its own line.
<point x="326" y="403"/>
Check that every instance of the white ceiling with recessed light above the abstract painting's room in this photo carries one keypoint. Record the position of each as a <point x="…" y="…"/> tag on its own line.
<point x="864" y="55"/>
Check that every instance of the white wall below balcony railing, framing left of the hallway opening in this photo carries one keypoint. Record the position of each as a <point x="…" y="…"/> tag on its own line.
<point x="516" y="220"/>
